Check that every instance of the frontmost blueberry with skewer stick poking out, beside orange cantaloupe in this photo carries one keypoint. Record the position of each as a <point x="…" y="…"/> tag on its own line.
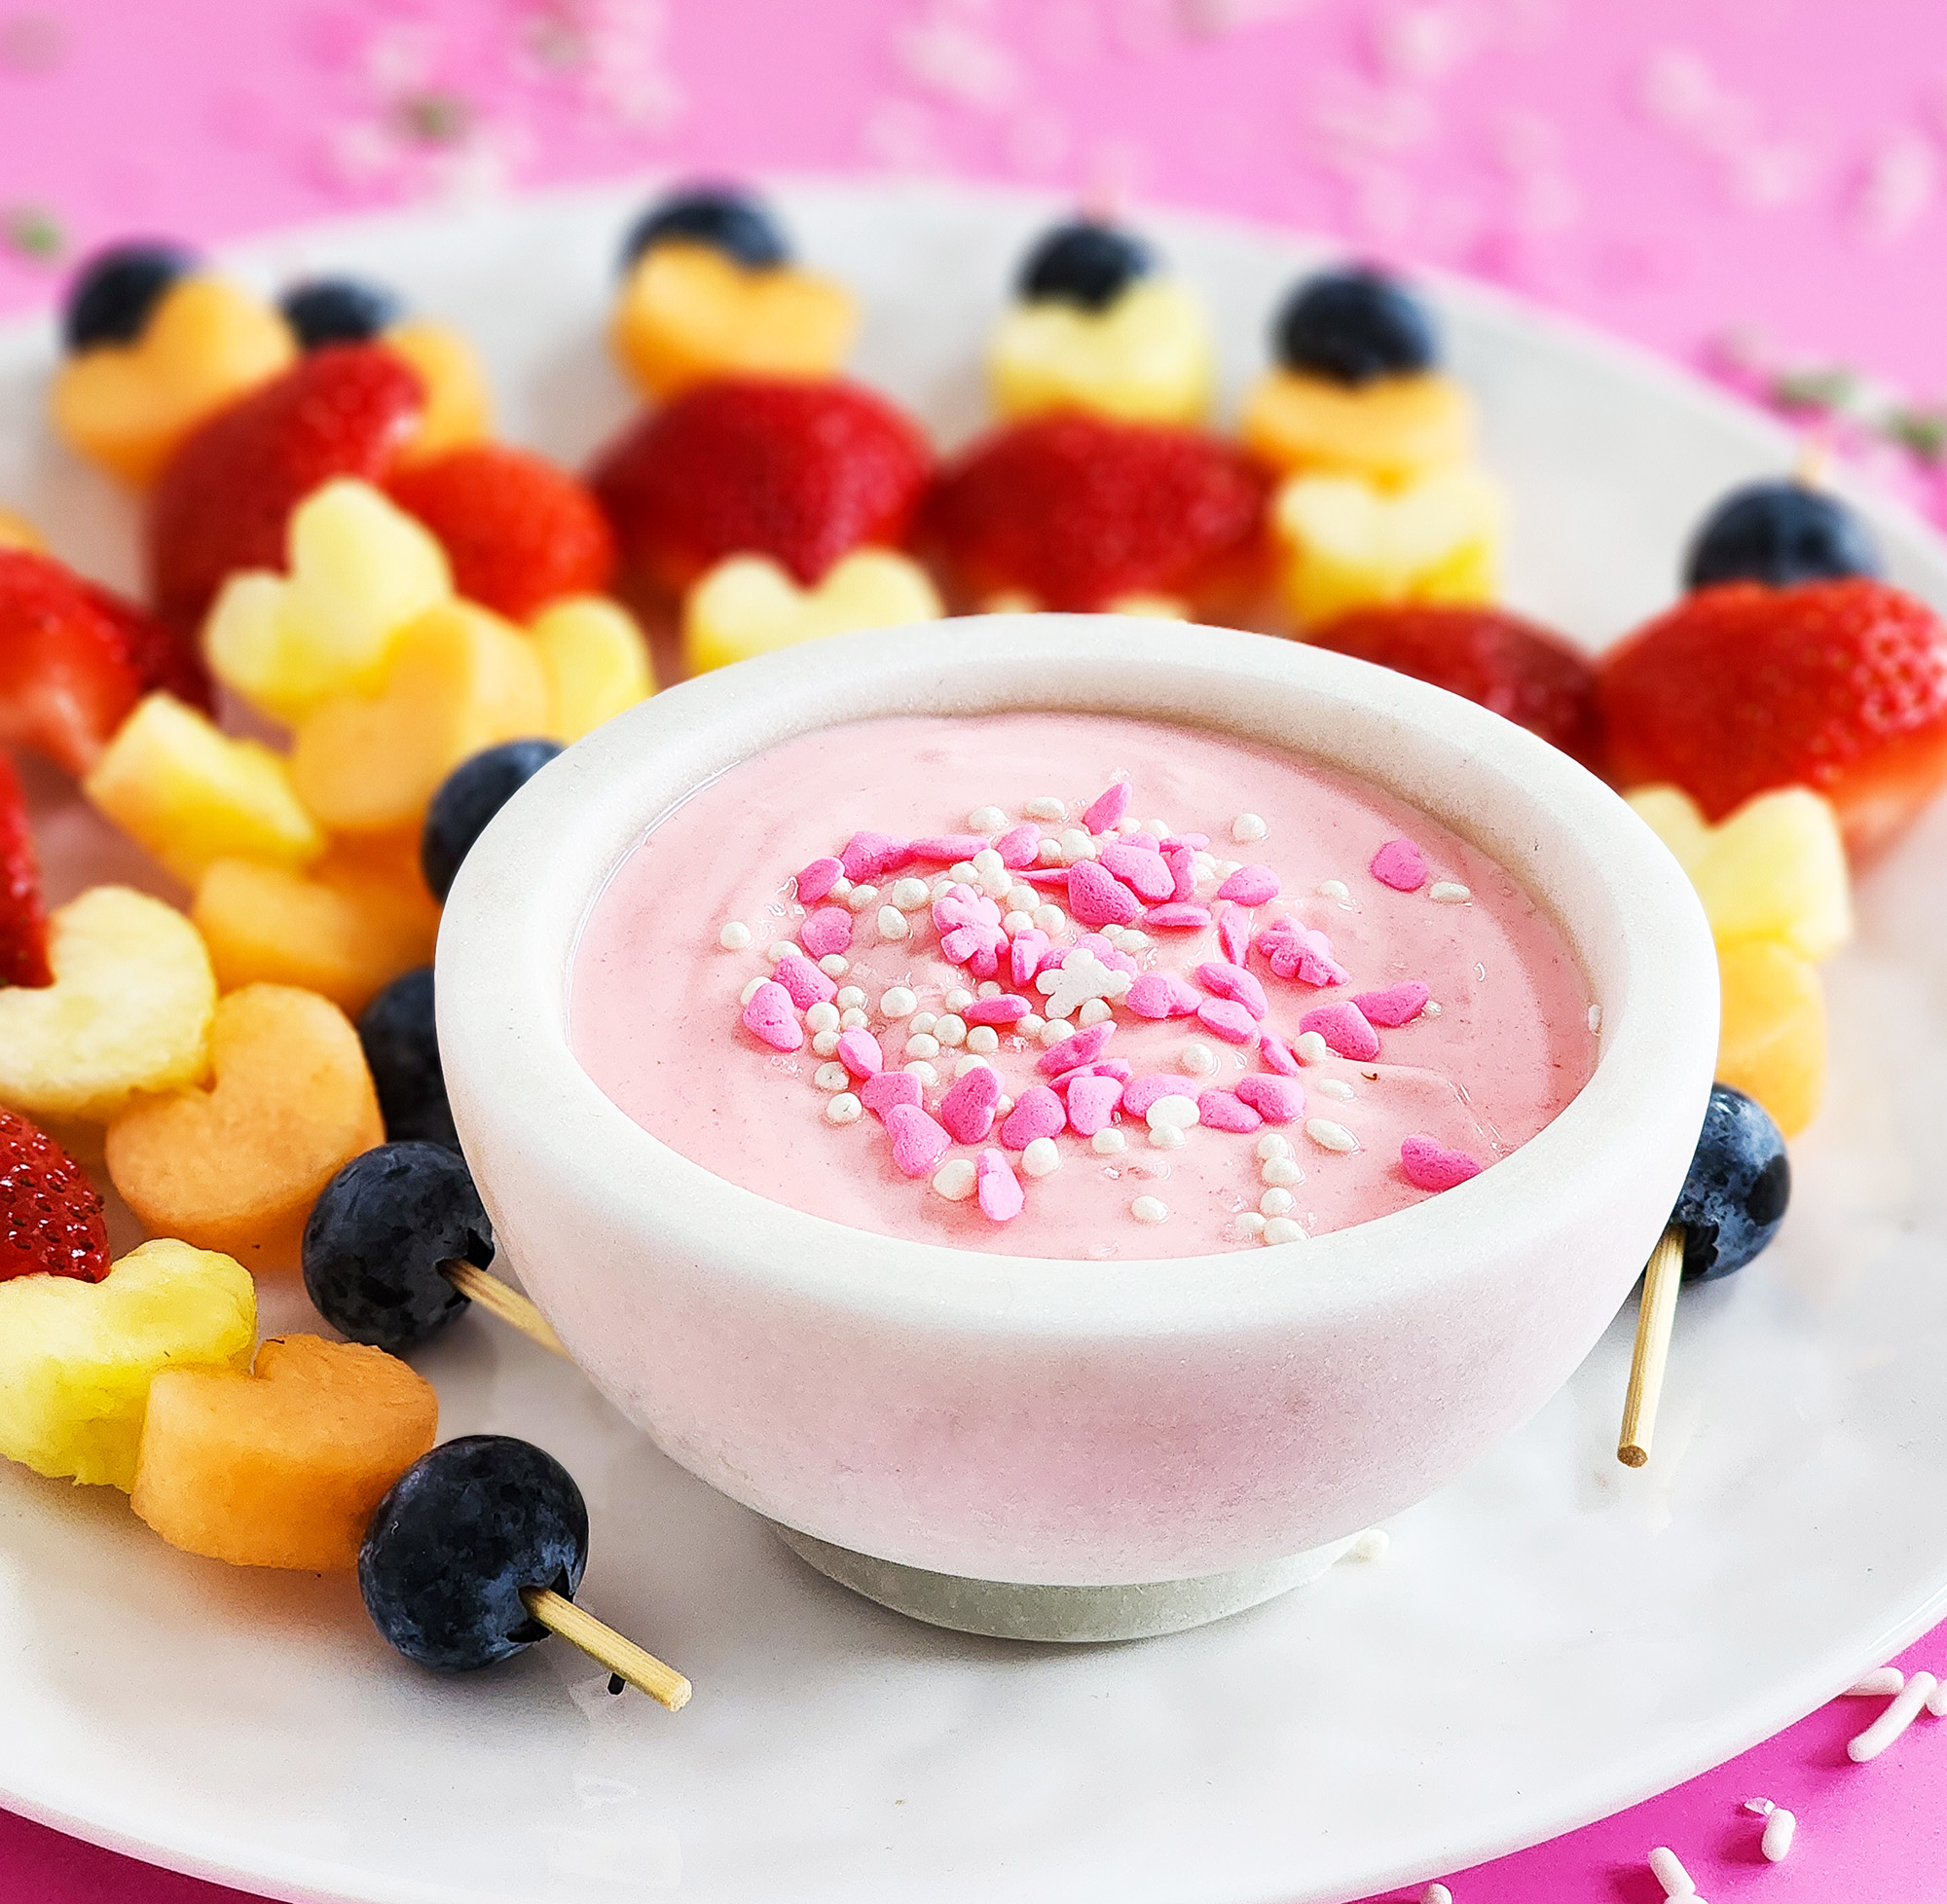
<point x="462" y="1531"/>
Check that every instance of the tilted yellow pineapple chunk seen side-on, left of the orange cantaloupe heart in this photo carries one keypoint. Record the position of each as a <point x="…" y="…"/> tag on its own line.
<point x="194" y="795"/>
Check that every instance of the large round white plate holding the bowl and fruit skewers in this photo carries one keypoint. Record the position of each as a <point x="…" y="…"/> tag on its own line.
<point x="1551" y="1638"/>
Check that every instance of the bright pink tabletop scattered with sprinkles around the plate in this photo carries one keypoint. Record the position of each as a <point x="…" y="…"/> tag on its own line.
<point x="1677" y="170"/>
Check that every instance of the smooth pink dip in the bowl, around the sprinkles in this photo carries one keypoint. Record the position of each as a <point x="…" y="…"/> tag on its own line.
<point x="655" y="1000"/>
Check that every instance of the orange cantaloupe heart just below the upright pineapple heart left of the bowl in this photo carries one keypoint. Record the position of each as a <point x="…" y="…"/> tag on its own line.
<point x="457" y="682"/>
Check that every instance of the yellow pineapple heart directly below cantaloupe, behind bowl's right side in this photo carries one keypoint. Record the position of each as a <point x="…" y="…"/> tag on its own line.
<point x="1350" y="544"/>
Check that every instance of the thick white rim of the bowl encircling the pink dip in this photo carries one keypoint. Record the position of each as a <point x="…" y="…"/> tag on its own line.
<point x="525" y="893"/>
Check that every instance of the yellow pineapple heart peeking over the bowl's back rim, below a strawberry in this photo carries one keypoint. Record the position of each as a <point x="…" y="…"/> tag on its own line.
<point x="749" y="604"/>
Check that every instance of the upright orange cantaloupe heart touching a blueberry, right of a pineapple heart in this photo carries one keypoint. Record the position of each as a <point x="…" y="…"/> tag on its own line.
<point x="239" y="1167"/>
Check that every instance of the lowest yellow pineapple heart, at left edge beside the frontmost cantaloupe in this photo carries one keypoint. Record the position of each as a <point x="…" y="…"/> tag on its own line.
<point x="77" y="1358"/>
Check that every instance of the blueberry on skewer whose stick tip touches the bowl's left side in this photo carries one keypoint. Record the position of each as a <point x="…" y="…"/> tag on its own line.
<point x="377" y="1239"/>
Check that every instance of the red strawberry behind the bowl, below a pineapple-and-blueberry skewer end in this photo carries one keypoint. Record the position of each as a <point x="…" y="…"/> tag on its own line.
<point x="1080" y="511"/>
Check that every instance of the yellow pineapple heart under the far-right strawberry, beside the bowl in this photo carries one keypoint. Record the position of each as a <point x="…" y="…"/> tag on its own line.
<point x="1775" y="869"/>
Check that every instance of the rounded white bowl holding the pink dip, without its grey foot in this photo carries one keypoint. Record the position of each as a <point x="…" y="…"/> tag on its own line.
<point x="1074" y="1422"/>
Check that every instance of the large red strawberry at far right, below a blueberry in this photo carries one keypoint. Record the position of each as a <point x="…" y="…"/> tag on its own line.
<point x="1742" y="688"/>
